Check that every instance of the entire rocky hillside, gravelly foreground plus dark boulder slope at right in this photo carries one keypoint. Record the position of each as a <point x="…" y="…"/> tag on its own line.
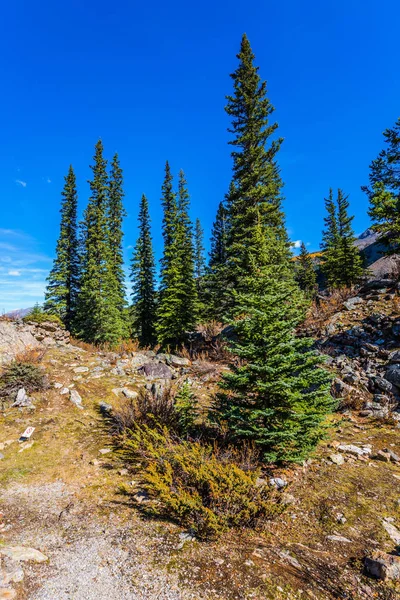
<point x="70" y="524"/>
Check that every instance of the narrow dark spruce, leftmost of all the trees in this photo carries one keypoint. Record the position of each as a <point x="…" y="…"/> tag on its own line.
<point x="63" y="280"/>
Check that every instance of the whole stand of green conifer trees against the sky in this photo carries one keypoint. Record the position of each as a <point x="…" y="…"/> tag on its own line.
<point x="277" y="392"/>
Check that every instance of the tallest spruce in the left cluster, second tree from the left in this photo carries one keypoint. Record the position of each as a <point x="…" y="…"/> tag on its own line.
<point x="99" y="316"/>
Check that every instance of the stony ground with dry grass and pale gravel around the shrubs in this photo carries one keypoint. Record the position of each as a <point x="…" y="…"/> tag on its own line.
<point x="60" y="493"/>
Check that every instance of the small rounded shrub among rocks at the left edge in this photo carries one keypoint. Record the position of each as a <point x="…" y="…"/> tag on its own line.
<point x="18" y="375"/>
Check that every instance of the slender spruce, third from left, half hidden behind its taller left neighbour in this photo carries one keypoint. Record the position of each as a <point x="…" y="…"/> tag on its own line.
<point x="116" y="214"/>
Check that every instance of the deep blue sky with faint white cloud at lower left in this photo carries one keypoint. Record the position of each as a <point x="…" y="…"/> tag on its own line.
<point x="150" y="79"/>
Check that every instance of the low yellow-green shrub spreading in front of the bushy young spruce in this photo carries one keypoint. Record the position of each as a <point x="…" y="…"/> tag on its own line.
<point x="194" y="486"/>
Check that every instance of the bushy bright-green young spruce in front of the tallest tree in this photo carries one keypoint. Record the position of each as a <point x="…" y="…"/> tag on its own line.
<point x="278" y="396"/>
